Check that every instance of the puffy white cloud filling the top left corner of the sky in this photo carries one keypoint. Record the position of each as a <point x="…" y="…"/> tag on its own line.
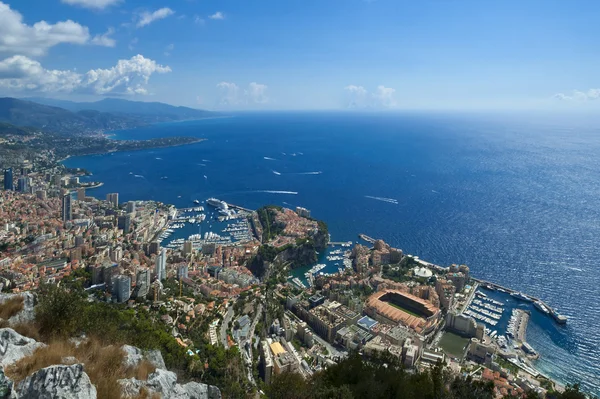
<point x="16" y="37"/>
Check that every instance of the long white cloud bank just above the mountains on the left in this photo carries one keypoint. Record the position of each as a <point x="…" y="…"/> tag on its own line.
<point x="20" y="73"/>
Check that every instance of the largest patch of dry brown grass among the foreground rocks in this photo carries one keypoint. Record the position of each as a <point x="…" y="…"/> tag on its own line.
<point x="103" y="364"/>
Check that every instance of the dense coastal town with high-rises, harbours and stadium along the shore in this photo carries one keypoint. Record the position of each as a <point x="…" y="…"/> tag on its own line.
<point x="269" y="282"/>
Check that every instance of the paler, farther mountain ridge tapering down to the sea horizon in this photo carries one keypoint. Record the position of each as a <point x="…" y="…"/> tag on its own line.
<point x="148" y="111"/>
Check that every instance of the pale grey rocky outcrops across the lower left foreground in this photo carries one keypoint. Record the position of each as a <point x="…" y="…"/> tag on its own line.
<point x="69" y="379"/>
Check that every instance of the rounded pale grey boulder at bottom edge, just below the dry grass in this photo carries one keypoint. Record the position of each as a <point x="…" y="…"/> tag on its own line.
<point x="65" y="382"/>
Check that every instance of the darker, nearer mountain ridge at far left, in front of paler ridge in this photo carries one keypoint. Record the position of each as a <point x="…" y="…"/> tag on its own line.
<point x="27" y="113"/>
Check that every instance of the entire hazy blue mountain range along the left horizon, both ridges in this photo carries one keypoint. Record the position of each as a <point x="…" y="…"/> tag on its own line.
<point x="82" y="118"/>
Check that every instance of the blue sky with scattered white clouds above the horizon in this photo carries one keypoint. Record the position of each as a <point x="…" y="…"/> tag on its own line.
<point x="312" y="54"/>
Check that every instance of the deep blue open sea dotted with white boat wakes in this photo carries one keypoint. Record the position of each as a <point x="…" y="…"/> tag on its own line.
<point x="515" y="197"/>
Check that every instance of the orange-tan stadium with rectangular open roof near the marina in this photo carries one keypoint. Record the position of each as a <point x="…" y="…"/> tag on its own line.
<point x="397" y="307"/>
